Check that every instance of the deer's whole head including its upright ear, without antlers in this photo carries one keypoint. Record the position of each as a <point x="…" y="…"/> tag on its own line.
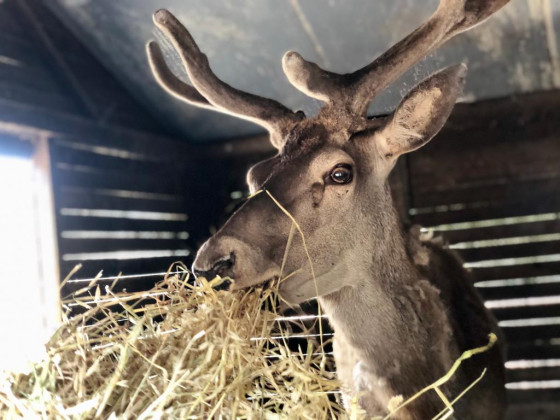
<point x="334" y="184"/>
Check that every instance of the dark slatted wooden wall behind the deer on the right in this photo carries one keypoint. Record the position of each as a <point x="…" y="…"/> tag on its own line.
<point x="490" y="184"/>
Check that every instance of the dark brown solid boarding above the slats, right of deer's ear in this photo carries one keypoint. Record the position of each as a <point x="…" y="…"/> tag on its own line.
<point x="487" y="147"/>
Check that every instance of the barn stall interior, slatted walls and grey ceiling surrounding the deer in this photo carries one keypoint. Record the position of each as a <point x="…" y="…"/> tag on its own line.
<point x="132" y="180"/>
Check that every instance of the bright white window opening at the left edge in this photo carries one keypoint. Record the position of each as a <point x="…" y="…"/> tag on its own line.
<point x="29" y="297"/>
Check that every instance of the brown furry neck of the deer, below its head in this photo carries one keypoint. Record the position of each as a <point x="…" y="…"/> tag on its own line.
<point x="387" y="320"/>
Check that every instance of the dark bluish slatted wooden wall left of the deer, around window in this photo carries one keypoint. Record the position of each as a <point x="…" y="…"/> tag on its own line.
<point x="121" y="186"/>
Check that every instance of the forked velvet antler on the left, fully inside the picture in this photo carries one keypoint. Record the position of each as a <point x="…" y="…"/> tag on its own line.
<point x="210" y="92"/>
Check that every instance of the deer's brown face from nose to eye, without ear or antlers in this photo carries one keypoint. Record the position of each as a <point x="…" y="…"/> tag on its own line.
<point x="319" y="189"/>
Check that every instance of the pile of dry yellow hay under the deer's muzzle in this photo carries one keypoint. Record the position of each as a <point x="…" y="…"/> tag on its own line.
<point x="177" y="351"/>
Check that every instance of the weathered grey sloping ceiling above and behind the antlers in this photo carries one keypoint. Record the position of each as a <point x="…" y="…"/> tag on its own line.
<point x="517" y="51"/>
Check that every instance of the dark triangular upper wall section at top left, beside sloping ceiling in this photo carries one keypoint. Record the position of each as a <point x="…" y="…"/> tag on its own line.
<point x="44" y="67"/>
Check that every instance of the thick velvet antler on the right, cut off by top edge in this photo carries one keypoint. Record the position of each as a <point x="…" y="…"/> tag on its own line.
<point x="354" y="91"/>
